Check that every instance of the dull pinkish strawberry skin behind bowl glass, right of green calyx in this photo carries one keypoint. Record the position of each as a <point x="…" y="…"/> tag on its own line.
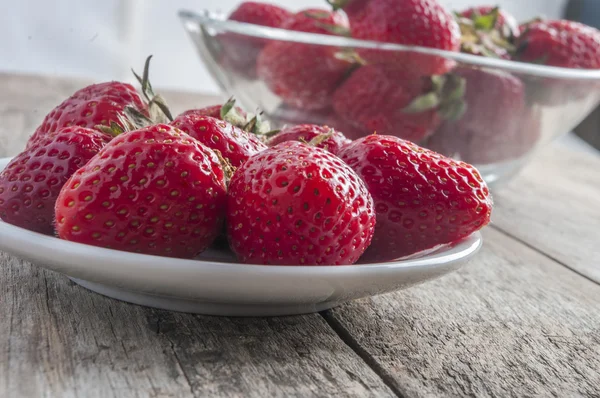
<point x="491" y="130"/>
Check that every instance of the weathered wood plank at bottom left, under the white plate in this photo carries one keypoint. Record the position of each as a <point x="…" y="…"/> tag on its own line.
<point x="59" y="340"/>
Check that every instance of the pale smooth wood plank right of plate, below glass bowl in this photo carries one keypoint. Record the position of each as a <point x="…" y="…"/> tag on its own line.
<point x="554" y="206"/>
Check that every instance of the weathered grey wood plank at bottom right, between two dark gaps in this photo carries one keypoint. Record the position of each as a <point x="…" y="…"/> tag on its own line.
<point x="512" y="323"/>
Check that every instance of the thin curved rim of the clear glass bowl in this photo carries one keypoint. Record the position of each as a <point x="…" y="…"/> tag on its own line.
<point x="193" y="21"/>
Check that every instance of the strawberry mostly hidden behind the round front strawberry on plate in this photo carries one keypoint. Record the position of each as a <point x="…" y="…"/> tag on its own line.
<point x="306" y="132"/>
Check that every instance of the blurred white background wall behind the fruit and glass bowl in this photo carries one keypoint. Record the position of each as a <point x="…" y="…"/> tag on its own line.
<point x="103" y="39"/>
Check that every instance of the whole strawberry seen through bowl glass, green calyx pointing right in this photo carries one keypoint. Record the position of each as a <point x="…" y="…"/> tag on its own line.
<point x="390" y="101"/>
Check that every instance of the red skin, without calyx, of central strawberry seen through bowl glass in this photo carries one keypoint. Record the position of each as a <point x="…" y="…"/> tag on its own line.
<point x="373" y="98"/>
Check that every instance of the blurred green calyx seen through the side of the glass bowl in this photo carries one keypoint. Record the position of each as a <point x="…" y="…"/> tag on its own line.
<point x="446" y="98"/>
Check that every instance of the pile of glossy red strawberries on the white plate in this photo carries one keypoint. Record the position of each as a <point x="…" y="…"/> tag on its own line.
<point x="112" y="168"/>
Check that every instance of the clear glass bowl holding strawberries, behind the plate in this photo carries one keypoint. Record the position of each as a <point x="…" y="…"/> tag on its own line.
<point x="489" y="112"/>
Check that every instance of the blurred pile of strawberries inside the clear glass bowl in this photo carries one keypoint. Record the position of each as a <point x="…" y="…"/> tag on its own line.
<point x="482" y="115"/>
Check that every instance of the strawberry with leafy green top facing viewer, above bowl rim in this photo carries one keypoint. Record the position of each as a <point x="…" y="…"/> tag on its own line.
<point x="488" y="31"/>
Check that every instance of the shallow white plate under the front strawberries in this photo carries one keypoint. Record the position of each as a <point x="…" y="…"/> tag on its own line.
<point x="216" y="285"/>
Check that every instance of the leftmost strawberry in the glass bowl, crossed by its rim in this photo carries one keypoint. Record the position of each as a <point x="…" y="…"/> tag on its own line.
<point x="240" y="52"/>
